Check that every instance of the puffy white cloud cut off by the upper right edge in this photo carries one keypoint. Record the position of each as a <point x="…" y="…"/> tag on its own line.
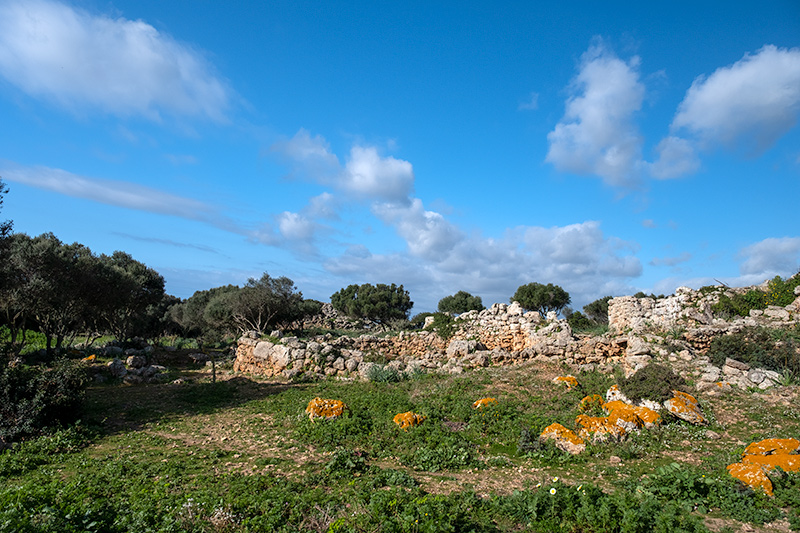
<point x="749" y="104"/>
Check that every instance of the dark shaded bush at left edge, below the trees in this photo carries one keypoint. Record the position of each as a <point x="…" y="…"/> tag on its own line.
<point x="33" y="399"/>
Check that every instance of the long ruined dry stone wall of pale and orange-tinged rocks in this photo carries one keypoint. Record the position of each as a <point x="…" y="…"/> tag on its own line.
<point x="678" y="328"/>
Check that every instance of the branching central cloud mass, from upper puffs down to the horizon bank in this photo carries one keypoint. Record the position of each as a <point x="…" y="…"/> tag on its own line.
<point x="441" y="258"/>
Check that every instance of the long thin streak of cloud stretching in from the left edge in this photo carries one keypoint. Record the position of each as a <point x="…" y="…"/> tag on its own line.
<point x="118" y="193"/>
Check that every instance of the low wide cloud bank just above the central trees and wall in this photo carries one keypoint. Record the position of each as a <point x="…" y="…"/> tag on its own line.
<point x="494" y="268"/>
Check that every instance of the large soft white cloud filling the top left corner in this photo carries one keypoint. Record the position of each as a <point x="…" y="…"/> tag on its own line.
<point x="123" y="67"/>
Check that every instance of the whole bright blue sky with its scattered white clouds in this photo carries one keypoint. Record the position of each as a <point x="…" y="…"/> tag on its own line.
<point x="605" y="147"/>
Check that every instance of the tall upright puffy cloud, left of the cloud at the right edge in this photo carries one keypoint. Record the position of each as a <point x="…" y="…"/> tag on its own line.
<point x="597" y="135"/>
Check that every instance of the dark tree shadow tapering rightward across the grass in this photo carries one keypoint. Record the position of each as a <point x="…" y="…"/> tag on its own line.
<point x="119" y="408"/>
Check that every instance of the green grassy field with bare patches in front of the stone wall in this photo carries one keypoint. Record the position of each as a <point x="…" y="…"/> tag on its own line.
<point x="241" y="455"/>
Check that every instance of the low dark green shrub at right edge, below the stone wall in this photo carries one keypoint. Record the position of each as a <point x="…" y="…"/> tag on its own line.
<point x="760" y="347"/>
